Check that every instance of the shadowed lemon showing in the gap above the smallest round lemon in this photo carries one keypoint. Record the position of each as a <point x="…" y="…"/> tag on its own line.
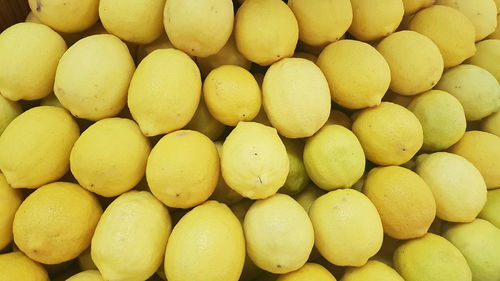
<point x="228" y="55"/>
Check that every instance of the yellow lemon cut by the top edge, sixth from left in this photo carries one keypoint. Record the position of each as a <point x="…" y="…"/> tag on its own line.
<point x="374" y="19"/>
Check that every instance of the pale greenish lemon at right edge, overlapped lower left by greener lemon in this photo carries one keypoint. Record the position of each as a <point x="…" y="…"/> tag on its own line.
<point x="477" y="90"/>
